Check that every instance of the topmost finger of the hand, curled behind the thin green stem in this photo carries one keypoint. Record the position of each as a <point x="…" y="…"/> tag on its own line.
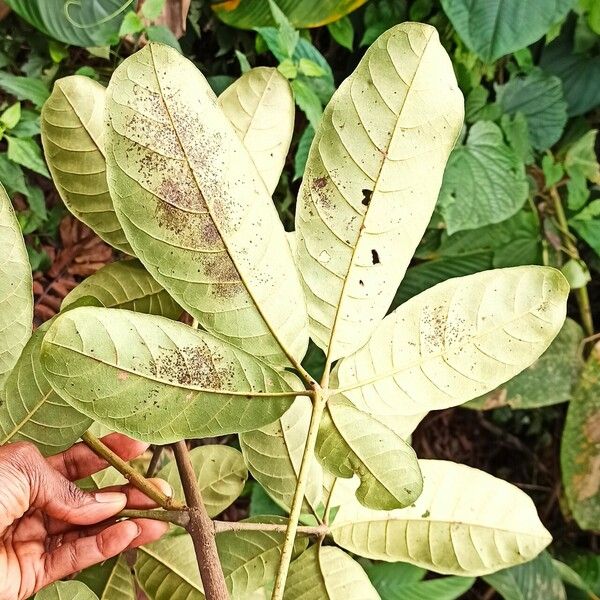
<point x="79" y="461"/>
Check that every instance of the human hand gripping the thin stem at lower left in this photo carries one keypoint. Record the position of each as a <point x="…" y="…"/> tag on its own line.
<point x="50" y="528"/>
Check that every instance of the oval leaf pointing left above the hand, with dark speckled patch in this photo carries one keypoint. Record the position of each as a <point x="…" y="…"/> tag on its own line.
<point x="157" y="379"/>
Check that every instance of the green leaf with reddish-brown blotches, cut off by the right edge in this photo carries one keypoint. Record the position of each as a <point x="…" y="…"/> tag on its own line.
<point x="580" y="446"/>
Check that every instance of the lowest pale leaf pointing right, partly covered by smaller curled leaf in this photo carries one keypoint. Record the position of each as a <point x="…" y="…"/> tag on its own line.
<point x="465" y="522"/>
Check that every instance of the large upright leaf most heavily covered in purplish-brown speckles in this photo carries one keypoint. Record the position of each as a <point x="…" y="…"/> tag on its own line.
<point x="195" y="209"/>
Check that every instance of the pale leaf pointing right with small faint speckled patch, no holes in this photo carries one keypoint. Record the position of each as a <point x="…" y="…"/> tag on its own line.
<point x="455" y="341"/>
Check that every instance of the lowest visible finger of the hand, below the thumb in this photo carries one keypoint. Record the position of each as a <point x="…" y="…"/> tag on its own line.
<point x="81" y="553"/>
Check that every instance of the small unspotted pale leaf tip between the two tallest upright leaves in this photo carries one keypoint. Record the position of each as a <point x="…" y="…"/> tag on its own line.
<point x="260" y="107"/>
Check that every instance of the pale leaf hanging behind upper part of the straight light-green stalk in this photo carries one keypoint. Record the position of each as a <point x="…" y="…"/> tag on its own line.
<point x="274" y="452"/>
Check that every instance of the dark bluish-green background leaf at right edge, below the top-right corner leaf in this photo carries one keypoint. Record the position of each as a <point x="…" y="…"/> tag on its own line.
<point x="580" y="73"/>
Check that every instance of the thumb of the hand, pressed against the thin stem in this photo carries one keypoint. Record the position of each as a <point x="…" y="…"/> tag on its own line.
<point x="57" y="496"/>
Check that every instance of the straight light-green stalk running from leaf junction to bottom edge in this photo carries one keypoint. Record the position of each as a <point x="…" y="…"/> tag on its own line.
<point x="319" y="402"/>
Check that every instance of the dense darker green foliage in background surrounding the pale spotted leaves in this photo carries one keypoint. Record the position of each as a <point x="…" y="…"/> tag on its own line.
<point x="522" y="187"/>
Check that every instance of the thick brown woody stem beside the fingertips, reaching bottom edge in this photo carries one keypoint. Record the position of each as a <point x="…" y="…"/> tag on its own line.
<point x="201" y="529"/>
